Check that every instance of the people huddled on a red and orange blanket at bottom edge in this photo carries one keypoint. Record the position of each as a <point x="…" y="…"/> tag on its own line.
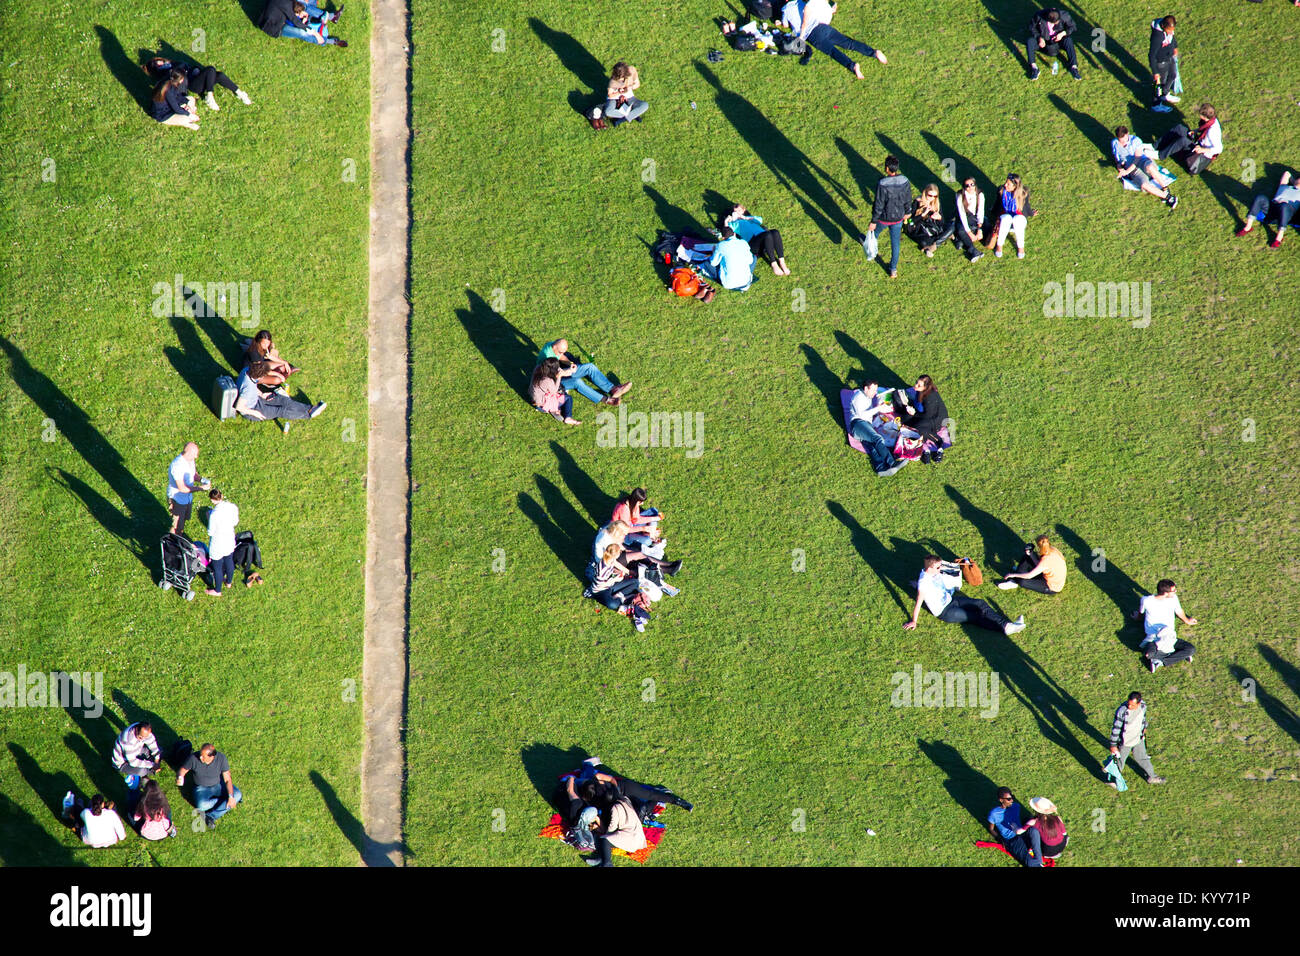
<point x="605" y="812"/>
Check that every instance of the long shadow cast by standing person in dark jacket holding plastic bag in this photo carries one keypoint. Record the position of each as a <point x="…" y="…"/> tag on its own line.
<point x="794" y="170"/>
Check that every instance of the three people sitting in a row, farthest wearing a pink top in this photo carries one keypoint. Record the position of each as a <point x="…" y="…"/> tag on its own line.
<point x="629" y="565"/>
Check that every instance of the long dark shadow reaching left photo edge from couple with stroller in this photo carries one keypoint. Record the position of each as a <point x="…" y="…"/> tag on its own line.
<point x="146" y="518"/>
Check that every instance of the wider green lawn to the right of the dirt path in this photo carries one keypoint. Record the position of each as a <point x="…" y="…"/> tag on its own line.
<point x="770" y="704"/>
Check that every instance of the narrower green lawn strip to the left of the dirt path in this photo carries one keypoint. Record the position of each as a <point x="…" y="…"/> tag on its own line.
<point x="101" y="205"/>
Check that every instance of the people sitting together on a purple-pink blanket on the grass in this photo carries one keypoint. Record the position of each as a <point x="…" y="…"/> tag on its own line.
<point x="900" y="426"/>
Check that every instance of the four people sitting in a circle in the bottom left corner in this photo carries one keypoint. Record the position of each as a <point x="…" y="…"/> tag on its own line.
<point x="138" y="758"/>
